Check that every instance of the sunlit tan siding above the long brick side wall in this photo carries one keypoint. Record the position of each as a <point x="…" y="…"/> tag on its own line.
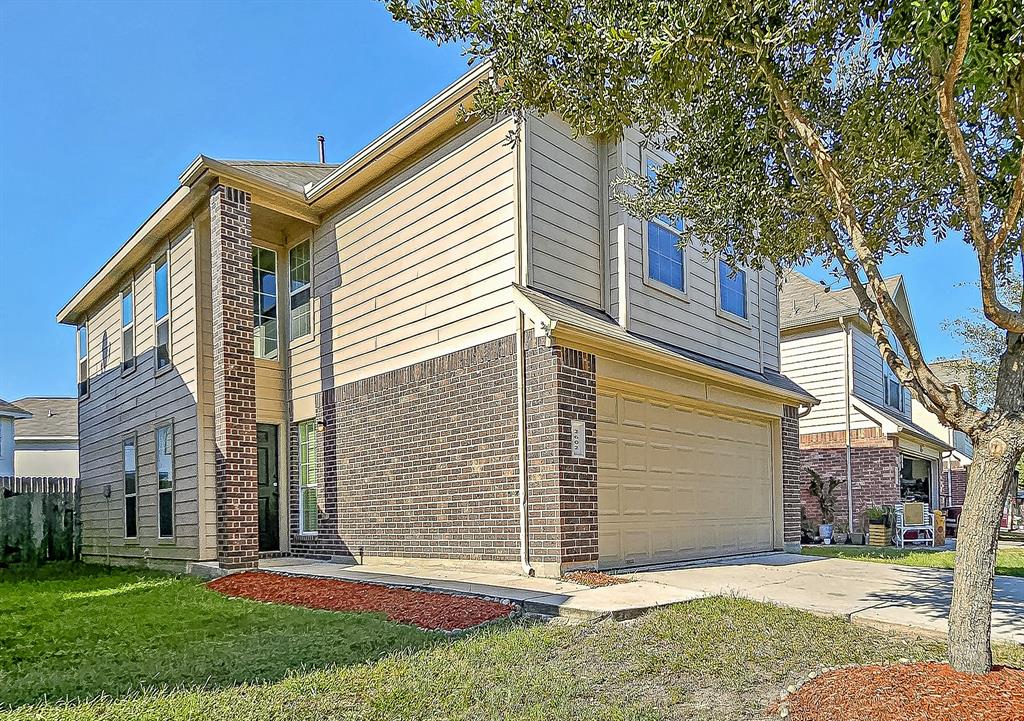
<point x="418" y="268"/>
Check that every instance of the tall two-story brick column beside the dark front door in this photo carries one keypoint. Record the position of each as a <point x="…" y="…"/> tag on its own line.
<point x="234" y="378"/>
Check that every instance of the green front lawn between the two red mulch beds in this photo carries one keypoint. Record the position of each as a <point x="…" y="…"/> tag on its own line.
<point x="132" y="635"/>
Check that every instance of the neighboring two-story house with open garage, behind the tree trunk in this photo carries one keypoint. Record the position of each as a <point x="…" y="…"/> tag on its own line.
<point x="865" y="428"/>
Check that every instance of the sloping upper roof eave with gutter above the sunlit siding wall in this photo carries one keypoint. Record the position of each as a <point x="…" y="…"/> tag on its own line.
<point x="406" y="129"/>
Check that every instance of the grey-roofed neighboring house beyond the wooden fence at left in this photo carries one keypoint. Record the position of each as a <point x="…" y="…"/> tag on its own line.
<point x="47" y="443"/>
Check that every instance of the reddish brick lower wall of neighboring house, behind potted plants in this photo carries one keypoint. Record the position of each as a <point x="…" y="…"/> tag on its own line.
<point x="875" y="465"/>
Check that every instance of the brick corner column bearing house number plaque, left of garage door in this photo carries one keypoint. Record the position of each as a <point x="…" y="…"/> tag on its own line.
<point x="562" y="389"/>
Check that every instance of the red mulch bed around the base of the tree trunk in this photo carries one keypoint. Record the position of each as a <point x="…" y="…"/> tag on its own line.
<point x="909" y="693"/>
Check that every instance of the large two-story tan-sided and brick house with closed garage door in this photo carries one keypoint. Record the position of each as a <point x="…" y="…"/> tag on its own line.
<point x="448" y="348"/>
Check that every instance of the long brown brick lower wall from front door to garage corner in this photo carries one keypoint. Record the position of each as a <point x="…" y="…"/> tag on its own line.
<point x="423" y="461"/>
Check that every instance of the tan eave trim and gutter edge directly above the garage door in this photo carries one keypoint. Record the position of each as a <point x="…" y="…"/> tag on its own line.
<point x="548" y="326"/>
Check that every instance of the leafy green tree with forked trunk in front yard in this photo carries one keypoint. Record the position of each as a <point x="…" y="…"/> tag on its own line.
<point x="848" y="130"/>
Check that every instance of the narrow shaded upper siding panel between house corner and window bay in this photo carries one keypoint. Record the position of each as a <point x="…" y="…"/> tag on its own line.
<point x="565" y="206"/>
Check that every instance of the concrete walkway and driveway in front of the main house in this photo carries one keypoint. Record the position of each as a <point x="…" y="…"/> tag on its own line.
<point x="875" y="595"/>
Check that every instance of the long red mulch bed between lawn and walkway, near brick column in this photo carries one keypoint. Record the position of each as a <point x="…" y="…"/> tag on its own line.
<point x="428" y="610"/>
